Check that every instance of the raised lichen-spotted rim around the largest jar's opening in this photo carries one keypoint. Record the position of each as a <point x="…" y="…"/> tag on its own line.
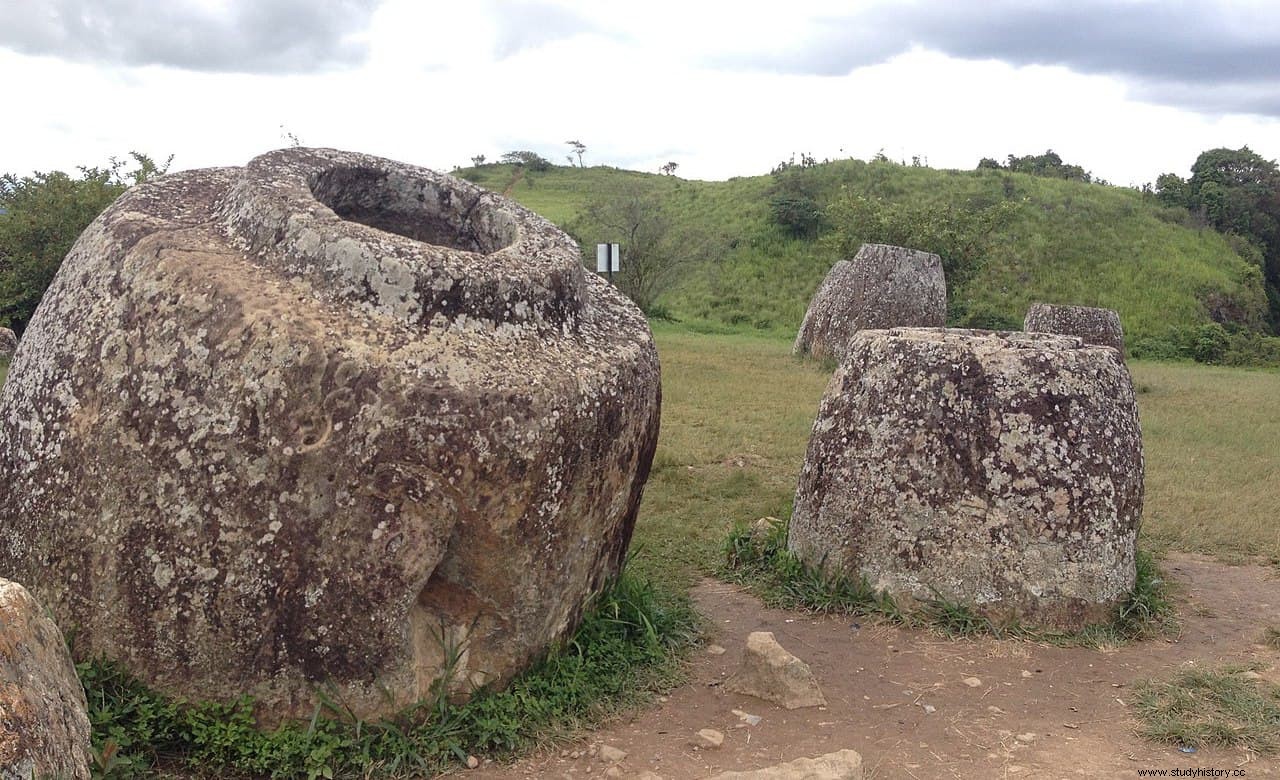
<point x="493" y="262"/>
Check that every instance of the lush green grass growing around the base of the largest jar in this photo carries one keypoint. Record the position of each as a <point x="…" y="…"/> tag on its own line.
<point x="628" y="647"/>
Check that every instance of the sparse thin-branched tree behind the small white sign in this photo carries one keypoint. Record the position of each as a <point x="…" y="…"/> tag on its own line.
<point x="651" y="254"/>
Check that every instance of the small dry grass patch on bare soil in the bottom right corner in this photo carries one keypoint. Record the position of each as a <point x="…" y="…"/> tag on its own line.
<point x="1219" y="708"/>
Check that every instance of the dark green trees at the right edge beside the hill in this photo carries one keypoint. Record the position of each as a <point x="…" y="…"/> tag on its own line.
<point x="1237" y="193"/>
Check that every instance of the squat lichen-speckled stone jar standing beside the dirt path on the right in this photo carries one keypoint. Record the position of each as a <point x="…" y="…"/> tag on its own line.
<point x="1003" y="471"/>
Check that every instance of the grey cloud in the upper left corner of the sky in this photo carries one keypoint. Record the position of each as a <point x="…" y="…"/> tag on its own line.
<point x="250" y="37"/>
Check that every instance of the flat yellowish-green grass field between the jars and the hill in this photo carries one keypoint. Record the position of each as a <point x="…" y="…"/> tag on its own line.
<point x="737" y="419"/>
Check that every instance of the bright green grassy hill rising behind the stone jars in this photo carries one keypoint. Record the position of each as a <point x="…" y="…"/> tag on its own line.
<point x="1068" y="243"/>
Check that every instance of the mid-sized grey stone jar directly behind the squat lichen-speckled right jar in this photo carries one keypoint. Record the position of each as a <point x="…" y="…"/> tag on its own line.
<point x="881" y="288"/>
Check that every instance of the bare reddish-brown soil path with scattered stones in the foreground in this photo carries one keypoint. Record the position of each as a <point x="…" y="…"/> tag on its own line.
<point x="900" y="700"/>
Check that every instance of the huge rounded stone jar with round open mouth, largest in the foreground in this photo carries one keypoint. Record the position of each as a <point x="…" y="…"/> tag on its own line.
<point x="326" y="418"/>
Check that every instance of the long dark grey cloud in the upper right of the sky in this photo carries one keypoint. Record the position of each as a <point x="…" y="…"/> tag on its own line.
<point x="1180" y="53"/>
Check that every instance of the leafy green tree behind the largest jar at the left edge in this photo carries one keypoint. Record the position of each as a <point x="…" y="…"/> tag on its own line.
<point x="45" y="216"/>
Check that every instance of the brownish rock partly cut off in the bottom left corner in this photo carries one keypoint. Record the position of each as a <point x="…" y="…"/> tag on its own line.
<point x="44" y="718"/>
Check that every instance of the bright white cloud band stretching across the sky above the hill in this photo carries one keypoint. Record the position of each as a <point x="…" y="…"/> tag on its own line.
<point x="638" y="85"/>
